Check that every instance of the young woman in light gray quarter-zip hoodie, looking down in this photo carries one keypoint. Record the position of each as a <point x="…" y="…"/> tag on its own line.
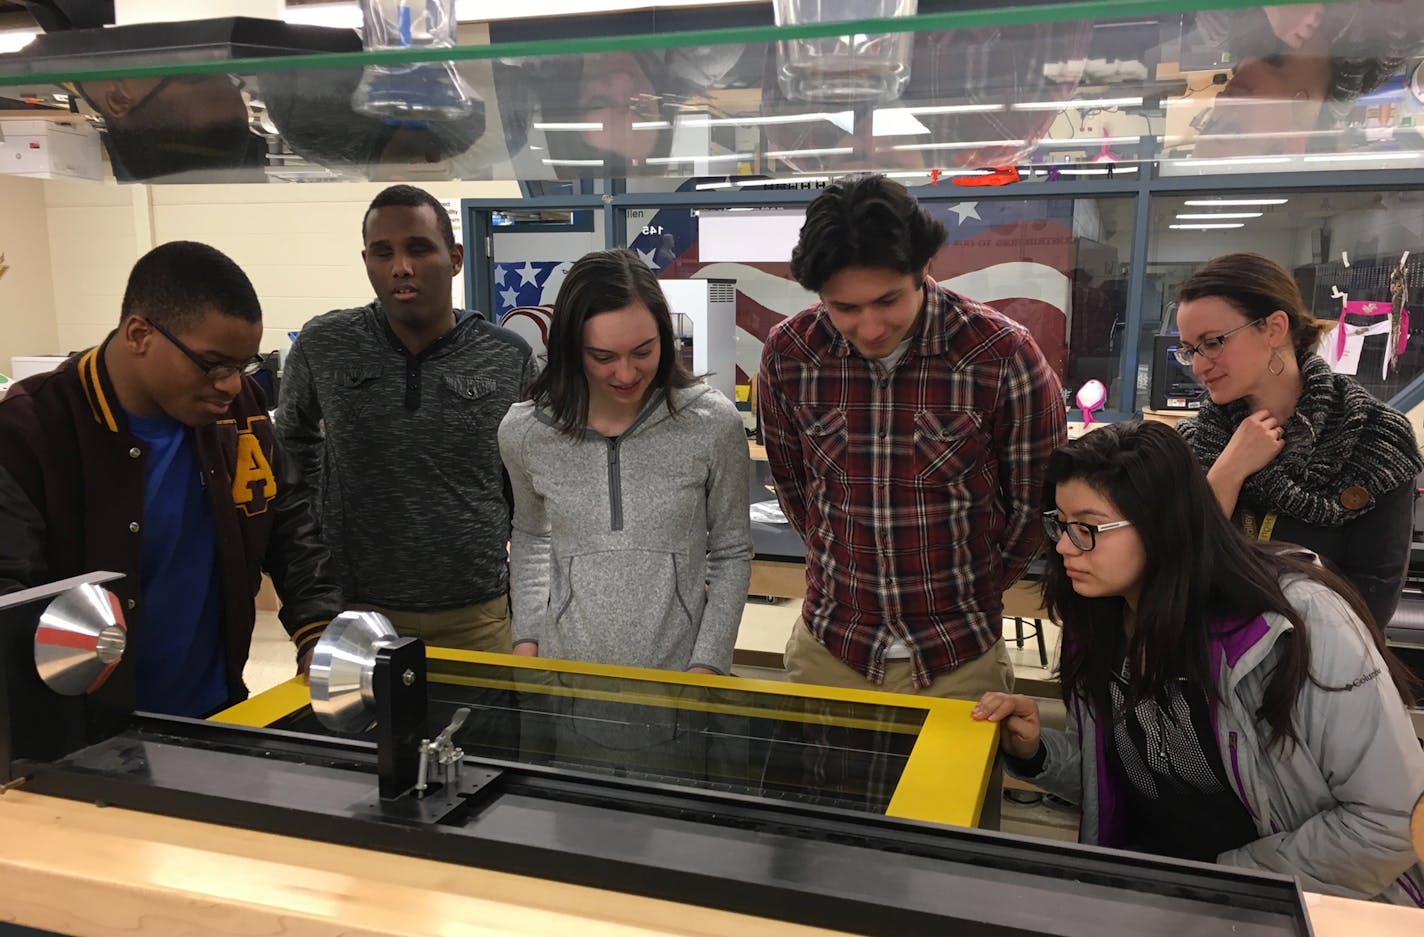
<point x="632" y="523"/>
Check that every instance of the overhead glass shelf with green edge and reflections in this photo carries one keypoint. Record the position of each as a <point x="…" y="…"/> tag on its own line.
<point x="992" y="100"/>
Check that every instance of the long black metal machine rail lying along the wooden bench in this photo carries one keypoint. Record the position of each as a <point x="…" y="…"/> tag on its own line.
<point x="804" y="864"/>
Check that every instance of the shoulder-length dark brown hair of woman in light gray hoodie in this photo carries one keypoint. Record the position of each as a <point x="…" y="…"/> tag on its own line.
<point x="603" y="281"/>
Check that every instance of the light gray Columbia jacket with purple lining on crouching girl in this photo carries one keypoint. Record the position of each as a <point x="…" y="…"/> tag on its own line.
<point x="1332" y="811"/>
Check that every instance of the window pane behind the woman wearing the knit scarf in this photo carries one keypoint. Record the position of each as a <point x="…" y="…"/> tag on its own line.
<point x="1342" y="248"/>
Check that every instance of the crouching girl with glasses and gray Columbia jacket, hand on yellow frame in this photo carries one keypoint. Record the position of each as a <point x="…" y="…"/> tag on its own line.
<point x="1227" y="703"/>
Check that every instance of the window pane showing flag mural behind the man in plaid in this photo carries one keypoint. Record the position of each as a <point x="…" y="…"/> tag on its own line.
<point x="1056" y="266"/>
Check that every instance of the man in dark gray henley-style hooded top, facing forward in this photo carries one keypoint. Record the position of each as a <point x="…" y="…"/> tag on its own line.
<point x="391" y="412"/>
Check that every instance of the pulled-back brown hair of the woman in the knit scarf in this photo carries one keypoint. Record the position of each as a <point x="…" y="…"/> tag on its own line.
<point x="1257" y="287"/>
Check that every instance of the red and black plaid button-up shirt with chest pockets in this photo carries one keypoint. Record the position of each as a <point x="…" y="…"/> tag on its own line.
<point x="918" y="492"/>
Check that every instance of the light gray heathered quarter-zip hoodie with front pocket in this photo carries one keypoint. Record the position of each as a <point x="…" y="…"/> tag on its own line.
<point x="637" y="550"/>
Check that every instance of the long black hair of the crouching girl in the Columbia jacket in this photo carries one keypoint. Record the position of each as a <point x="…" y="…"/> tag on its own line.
<point x="1201" y="573"/>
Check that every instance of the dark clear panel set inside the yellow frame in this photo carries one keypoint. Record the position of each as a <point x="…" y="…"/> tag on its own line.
<point x="835" y="754"/>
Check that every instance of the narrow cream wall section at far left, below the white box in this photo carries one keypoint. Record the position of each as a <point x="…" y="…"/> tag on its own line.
<point x="26" y="300"/>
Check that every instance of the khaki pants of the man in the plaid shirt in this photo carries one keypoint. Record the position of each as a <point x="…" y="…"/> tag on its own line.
<point x="808" y="661"/>
